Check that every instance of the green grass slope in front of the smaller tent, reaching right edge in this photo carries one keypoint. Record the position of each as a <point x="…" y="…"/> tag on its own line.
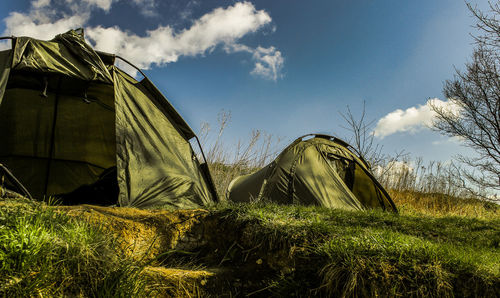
<point x="344" y="253"/>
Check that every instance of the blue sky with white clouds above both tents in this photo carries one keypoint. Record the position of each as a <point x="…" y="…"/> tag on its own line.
<point x="285" y="67"/>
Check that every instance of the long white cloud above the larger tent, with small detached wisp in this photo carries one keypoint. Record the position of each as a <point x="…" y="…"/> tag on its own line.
<point x="163" y="45"/>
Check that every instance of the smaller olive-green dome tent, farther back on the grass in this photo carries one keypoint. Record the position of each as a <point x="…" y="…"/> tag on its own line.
<point x="321" y="170"/>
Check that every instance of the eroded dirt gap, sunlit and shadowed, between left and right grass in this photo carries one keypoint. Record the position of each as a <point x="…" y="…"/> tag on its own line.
<point x="195" y="253"/>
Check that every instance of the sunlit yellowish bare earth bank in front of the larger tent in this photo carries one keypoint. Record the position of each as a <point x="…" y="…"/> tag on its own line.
<point x="143" y="234"/>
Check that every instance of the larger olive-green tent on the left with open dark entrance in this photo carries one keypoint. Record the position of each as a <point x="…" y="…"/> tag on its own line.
<point x="67" y="114"/>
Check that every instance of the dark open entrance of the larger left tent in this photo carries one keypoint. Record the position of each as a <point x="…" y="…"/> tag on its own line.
<point x="57" y="132"/>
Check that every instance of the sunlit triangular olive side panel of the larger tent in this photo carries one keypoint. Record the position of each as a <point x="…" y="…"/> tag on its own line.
<point x="143" y="145"/>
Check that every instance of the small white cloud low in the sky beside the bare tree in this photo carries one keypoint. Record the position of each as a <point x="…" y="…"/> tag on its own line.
<point x="411" y="119"/>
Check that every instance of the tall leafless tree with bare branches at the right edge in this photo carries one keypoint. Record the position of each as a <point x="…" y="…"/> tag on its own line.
<point x="476" y="94"/>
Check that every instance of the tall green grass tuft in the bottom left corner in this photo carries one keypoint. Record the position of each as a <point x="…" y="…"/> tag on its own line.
<point x="45" y="253"/>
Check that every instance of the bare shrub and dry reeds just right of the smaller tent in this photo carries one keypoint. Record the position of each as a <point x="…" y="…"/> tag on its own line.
<point x="401" y="173"/>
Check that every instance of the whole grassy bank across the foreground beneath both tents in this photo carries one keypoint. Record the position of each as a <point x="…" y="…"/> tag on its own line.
<point x="429" y="249"/>
